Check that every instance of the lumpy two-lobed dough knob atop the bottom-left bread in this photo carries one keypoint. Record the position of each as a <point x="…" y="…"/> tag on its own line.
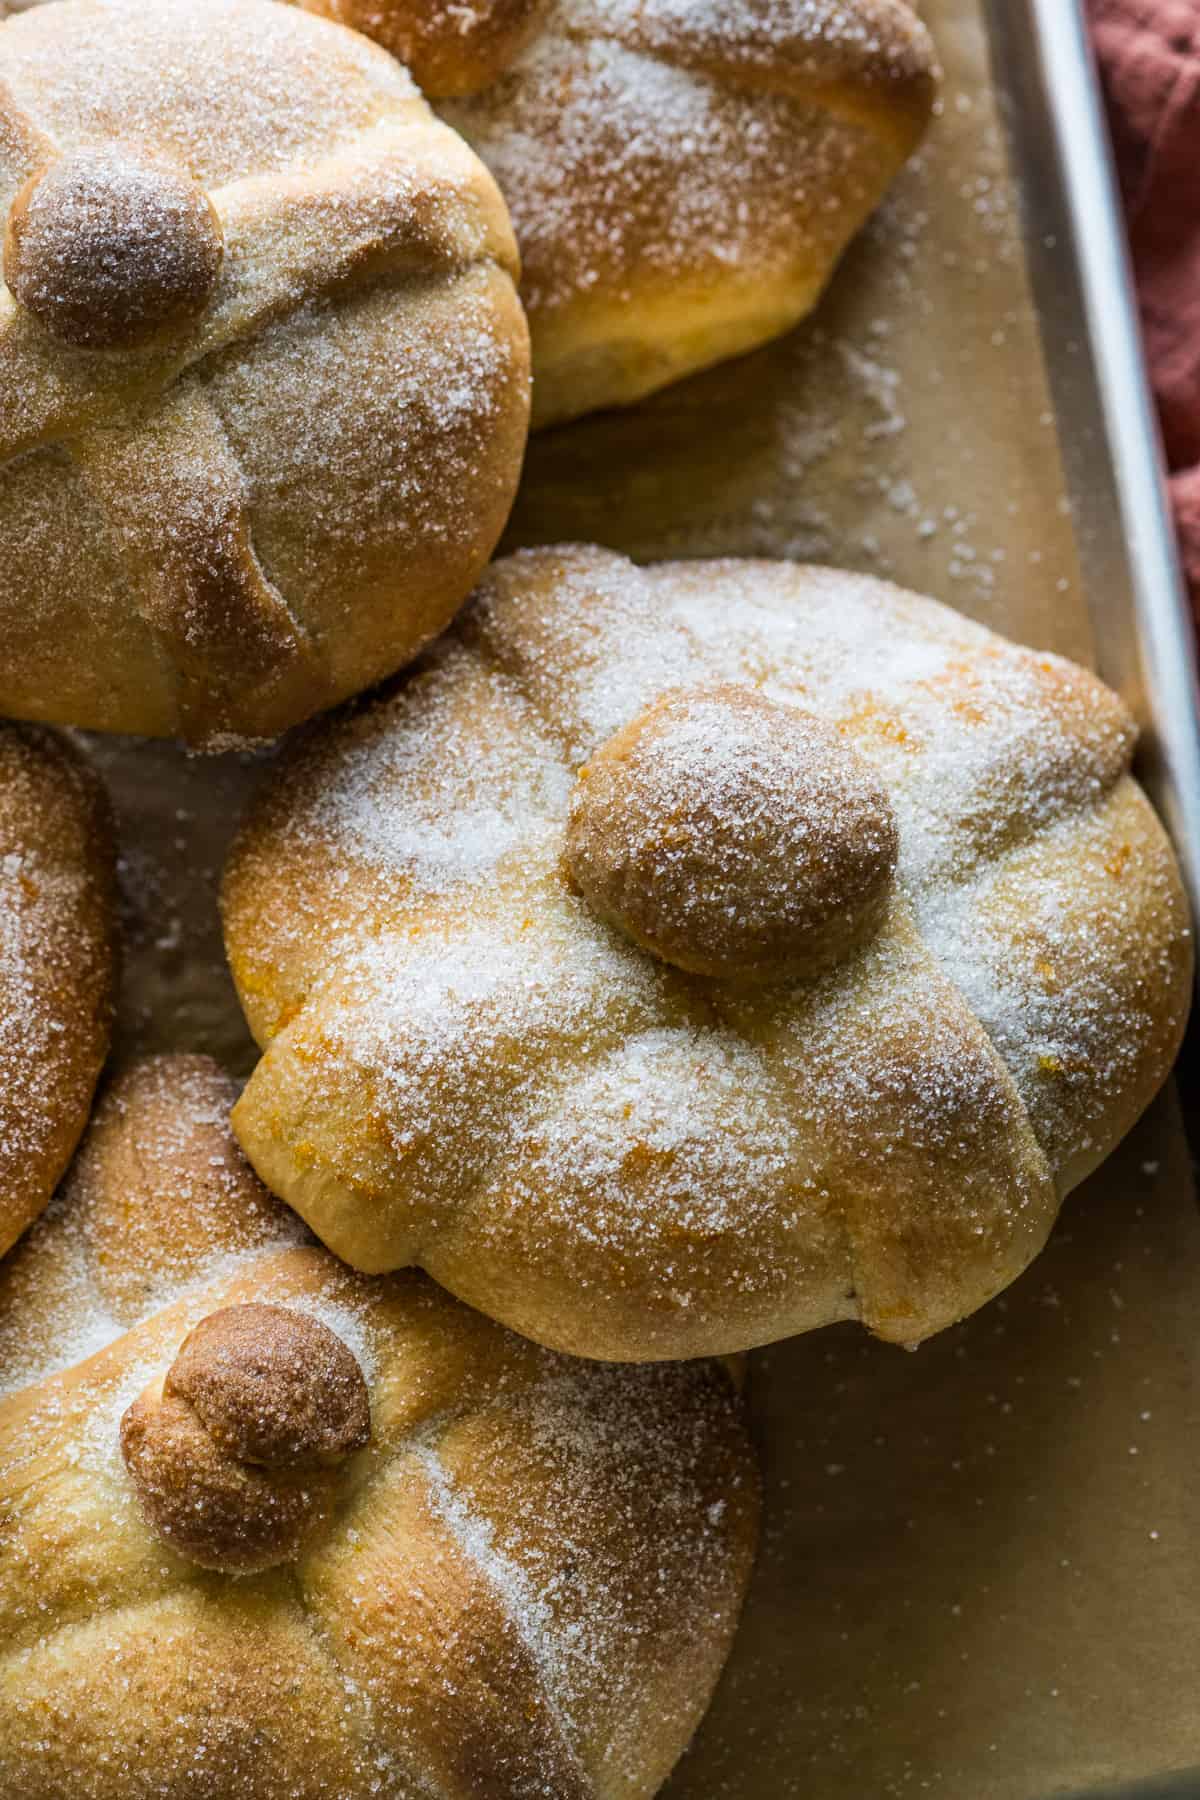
<point x="235" y="1455"/>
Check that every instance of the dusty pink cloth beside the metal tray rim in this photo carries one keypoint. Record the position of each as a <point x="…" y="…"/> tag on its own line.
<point x="1151" y="66"/>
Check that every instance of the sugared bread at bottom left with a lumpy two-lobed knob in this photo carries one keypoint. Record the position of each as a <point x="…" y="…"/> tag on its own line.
<point x="274" y="1529"/>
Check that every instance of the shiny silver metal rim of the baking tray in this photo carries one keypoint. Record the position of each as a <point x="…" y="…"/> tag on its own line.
<point x="1145" y="640"/>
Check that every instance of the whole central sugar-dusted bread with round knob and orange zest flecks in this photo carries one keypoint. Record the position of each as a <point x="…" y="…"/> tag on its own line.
<point x="697" y="955"/>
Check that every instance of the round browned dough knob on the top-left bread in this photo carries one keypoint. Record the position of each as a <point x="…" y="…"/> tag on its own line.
<point x="109" y="247"/>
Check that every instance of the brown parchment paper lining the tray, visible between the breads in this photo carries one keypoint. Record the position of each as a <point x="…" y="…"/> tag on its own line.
<point x="980" y="1576"/>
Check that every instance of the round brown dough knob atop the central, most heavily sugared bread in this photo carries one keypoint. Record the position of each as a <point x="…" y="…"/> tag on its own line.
<point x="733" y="836"/>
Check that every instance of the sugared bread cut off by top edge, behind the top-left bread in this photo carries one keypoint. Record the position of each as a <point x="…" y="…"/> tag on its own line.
<point x="683" y="174"/>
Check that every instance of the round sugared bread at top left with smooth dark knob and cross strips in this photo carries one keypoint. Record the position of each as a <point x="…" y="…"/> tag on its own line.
<point x="265" y="370"/>
